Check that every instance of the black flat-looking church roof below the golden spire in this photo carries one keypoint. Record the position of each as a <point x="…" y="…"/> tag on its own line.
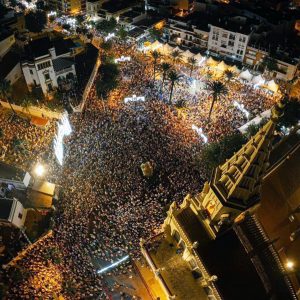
<point x="226" y="258"/>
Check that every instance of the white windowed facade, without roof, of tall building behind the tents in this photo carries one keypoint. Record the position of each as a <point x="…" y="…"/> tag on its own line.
<point x="227" y="43"/>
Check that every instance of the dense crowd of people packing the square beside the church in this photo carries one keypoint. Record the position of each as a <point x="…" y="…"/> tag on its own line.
<point x="107" y="205"/>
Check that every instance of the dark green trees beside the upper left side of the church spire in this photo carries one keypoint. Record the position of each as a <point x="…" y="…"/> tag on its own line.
<point x="216" y="153"/>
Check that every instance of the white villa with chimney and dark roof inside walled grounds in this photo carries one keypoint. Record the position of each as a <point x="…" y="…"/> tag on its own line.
<point x="47" y="62"/>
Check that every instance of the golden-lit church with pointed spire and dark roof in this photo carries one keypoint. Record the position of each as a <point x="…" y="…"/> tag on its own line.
<point x="212" y="246"/>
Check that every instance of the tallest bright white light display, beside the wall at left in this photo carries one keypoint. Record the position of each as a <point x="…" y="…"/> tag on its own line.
<point x="63" y="129"/>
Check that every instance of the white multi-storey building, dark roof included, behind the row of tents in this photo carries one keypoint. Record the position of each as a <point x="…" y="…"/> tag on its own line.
<point x="230" y="38"/>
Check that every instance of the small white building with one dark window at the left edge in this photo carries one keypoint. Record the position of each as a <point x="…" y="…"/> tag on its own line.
<point x="12" y="212"/>
